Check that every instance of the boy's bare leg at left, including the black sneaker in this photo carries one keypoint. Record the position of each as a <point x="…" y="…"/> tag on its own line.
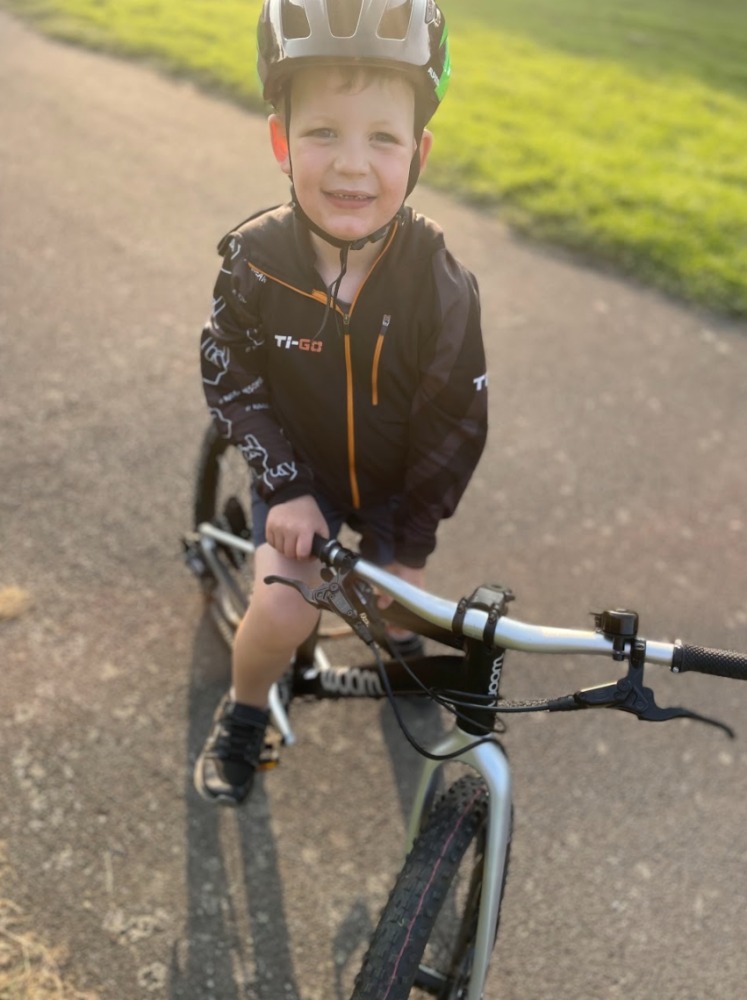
<point x="276" y="622"/>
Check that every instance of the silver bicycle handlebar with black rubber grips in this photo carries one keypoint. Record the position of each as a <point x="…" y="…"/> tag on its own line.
<point x="509" y="633"/>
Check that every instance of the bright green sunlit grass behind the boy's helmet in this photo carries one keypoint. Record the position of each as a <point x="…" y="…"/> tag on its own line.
<point x="617" y="128"/>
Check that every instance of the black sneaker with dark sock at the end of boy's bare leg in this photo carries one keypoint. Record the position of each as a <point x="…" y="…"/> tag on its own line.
<point x="225" y="769"/>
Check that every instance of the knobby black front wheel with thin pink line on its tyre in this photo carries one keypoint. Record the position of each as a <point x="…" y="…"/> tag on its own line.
<point x="424" y="943"/>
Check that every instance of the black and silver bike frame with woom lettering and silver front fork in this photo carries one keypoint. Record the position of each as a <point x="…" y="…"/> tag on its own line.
<point x="486" y="758"/>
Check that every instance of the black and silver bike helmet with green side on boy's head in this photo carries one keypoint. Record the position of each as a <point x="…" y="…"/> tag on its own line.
<point x="404" y="36"/>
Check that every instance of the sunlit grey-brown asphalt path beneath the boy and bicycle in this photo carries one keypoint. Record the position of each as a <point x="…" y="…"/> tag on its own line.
<point x="615" y="475"/>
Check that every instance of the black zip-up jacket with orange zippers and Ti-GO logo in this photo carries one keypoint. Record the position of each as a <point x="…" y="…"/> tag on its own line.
<point x="389" y="399"/>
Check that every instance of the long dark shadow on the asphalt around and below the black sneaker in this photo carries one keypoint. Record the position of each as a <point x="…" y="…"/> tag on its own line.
<point x="236" y="936"/>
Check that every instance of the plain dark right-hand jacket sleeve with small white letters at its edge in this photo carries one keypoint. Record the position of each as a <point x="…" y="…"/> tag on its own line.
<point x="449" y="416"/>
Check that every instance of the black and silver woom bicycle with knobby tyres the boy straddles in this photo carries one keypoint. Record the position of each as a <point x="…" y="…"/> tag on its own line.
<point x="436" y="933"/>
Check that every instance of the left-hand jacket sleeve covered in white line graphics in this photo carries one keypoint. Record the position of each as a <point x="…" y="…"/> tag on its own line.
<point x="233" y="362"/>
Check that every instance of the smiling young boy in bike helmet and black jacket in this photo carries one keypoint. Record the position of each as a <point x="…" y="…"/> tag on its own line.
<point x="344" y="355"/>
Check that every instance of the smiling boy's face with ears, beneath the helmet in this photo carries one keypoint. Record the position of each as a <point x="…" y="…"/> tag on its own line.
<point x="350" y="149"/>
